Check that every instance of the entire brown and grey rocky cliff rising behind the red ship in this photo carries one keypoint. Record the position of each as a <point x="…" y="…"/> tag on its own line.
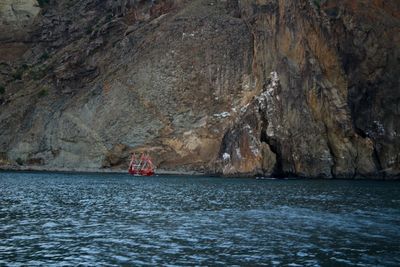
<point x="250" y="87"/>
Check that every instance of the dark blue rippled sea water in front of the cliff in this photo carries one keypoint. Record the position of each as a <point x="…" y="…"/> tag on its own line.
<point x="104" y="219"/>
